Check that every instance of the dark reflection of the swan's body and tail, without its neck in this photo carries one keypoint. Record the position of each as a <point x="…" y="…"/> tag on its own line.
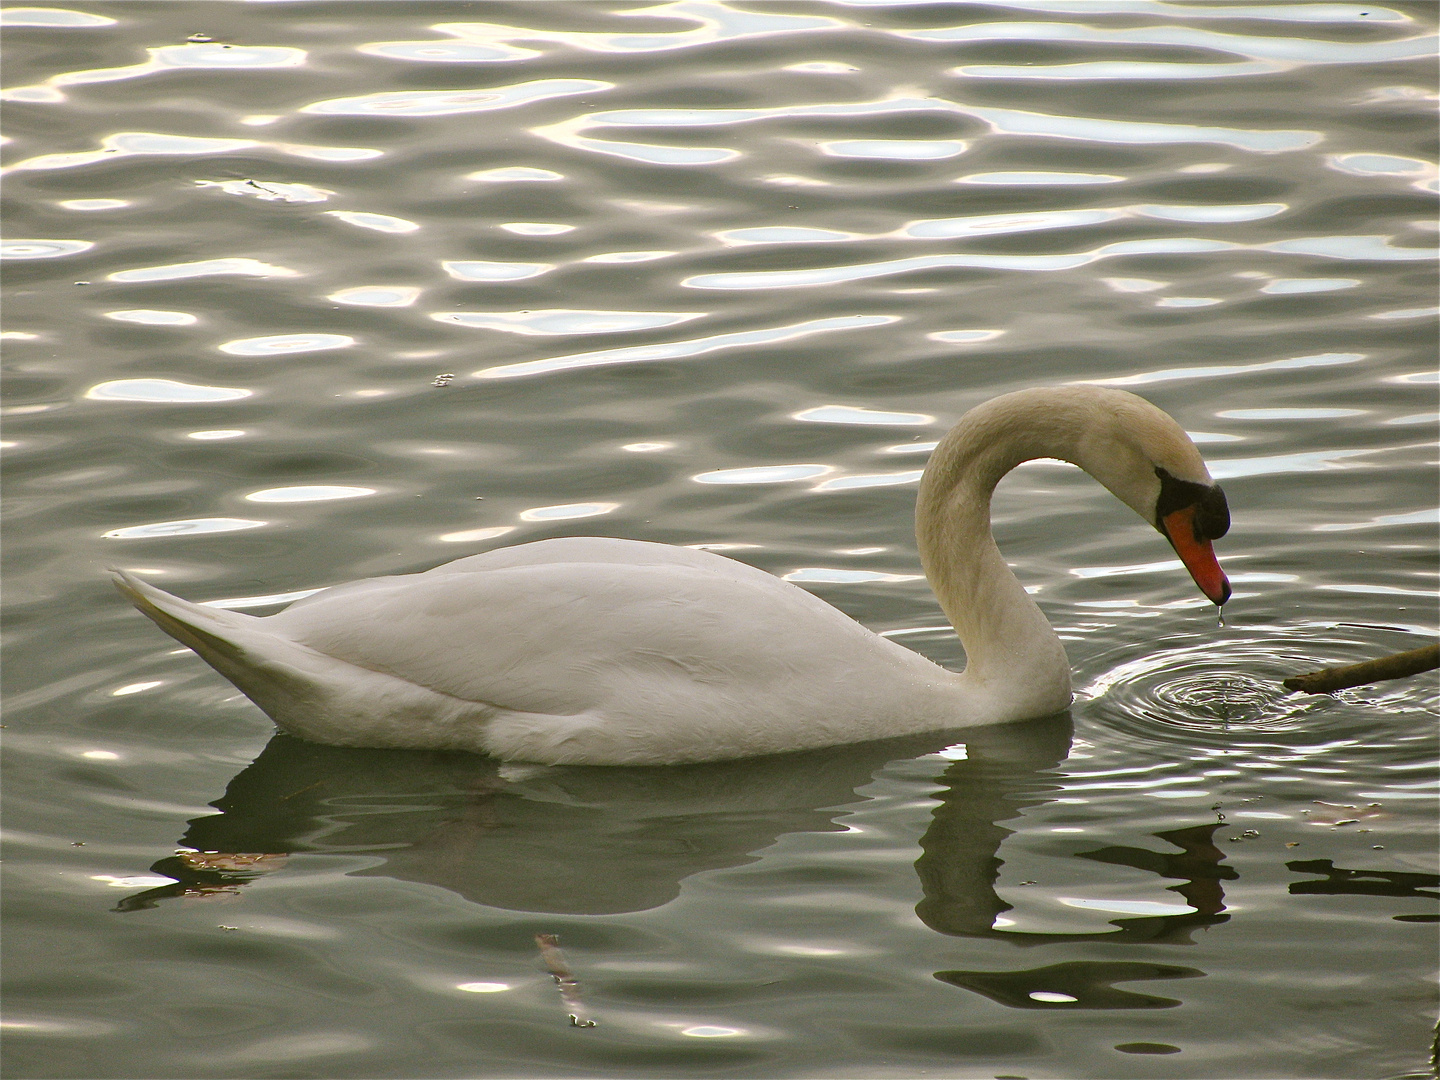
<point x="551" y="840"/>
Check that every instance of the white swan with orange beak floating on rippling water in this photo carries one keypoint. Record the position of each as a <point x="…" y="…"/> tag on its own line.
<point x="598" y="652"/>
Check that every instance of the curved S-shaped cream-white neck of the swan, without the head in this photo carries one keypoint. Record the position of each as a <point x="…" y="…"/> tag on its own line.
<point x="1010" y="646"/>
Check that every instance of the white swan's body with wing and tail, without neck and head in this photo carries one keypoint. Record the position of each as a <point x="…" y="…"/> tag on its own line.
<point x="590" y="652"/>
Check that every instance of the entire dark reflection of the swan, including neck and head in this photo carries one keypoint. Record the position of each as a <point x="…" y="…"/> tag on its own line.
<point x="578" y="840"/>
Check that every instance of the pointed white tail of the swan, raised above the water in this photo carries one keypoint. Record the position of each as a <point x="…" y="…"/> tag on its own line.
<point x="279" y="675"/>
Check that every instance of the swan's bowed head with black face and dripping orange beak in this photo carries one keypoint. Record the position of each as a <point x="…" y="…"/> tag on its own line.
<point x="1148" y="462"/>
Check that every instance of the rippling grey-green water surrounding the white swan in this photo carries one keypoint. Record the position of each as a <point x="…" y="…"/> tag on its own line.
<point x="310" y="292"/>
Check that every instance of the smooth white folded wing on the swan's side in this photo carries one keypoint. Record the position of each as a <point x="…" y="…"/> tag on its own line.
<point x="567" y="637"/>
